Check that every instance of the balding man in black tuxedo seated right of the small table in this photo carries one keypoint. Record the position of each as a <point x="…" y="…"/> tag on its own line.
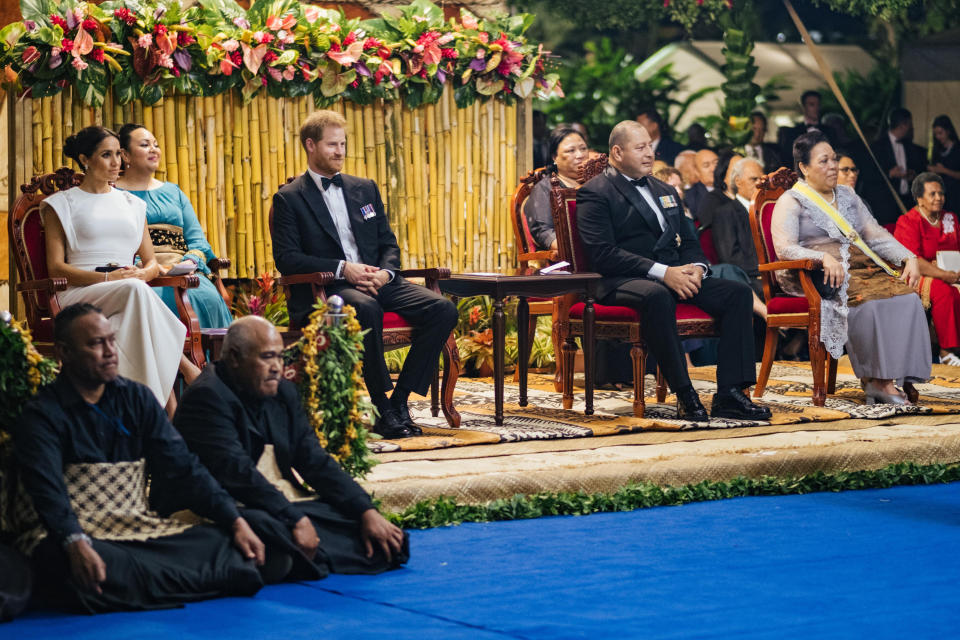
<point x="636" y="236"/>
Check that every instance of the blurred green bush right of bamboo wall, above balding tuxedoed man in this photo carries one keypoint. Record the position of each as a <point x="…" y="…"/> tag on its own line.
<point x="603" y="89"/>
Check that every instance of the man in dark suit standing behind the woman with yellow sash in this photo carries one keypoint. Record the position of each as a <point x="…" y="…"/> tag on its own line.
<point x="900" y="160"/>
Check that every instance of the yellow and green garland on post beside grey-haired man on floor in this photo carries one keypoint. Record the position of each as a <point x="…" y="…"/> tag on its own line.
<point x="331" y="387"/>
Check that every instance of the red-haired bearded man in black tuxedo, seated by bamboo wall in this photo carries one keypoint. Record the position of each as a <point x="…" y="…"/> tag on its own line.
<point x="328" y="221"/>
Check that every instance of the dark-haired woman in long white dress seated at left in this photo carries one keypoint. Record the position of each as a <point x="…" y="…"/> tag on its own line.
<point x="95" y="225"/>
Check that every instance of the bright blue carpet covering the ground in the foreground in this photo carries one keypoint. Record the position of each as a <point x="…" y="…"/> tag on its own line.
<point x="879" y="564"/>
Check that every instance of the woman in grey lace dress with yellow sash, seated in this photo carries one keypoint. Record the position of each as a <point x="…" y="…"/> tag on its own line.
<point x="877" y="317"/>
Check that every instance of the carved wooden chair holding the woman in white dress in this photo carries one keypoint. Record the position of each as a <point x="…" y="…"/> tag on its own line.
<point x="39" y="290"/>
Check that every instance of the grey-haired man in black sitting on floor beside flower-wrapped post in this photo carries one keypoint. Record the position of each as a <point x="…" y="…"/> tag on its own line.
<point x="248" y="427"/>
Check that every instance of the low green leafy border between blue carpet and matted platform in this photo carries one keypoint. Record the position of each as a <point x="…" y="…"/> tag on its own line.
<point x="445" y="511"/>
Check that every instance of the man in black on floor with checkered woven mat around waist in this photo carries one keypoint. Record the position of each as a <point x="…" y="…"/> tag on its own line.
<point x="87" y="448"/>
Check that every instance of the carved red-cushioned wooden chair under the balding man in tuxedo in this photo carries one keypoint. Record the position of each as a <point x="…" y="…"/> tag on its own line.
<point x="611" y="322"/>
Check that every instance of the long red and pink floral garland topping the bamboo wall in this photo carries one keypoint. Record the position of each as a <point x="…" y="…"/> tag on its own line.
<point x="146" y="49"/>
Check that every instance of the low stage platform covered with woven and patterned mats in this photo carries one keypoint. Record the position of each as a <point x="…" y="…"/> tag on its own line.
<point x="542" y="448"/>
